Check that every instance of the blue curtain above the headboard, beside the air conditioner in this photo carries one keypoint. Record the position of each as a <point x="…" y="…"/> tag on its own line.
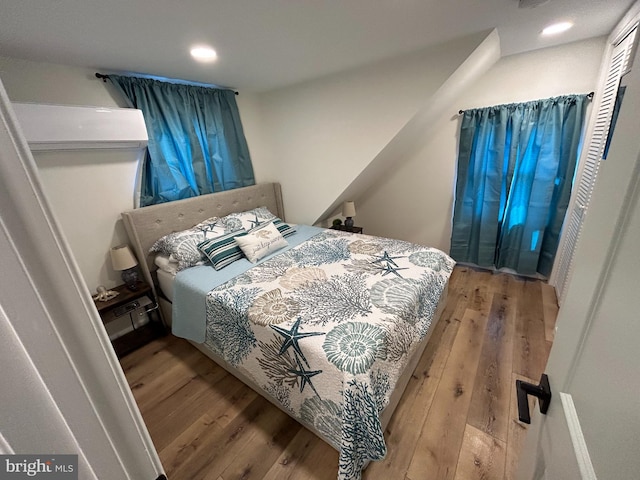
<point x="196" y="141"/>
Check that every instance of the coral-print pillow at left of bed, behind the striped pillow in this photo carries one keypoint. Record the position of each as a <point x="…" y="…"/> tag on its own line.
<point x="183" y="246"/>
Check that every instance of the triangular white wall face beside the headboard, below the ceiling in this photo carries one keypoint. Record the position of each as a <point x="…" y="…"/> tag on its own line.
<point x="323" y="133"/>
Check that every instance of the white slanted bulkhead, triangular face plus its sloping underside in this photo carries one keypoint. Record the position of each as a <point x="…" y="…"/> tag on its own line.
<point x="331" y="138"/>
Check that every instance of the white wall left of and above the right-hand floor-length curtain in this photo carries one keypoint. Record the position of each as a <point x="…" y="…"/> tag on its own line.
<point x="415" y="201"/>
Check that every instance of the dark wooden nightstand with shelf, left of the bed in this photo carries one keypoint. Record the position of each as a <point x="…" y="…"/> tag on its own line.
<point x="122" y="316"/>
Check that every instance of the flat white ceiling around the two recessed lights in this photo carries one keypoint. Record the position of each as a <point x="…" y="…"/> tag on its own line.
<point x="268" y="44"/>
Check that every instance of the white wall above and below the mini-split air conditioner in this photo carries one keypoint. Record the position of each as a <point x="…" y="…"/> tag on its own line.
<point x="87" y="189"/>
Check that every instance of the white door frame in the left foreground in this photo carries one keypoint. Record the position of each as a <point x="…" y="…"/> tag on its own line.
<point x="58" y="332"/>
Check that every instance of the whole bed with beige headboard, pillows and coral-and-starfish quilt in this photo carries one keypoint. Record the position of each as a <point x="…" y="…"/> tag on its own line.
<point x="328" y="325"/>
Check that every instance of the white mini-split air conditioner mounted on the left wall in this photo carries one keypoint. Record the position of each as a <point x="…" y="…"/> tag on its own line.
<point x="66" y="127"/>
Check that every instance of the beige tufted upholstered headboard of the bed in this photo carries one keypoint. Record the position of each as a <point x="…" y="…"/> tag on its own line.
<point x="145" y="225"/>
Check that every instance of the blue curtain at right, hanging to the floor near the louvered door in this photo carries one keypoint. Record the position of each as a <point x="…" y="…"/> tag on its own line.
<point x="516" y="165"/>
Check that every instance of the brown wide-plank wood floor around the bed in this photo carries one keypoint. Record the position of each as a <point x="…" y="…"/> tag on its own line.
<point x="457" y="419"/>
